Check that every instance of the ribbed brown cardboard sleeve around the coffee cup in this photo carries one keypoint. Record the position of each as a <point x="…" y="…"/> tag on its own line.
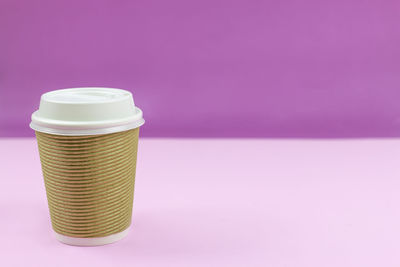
<point x="89" y="181"/>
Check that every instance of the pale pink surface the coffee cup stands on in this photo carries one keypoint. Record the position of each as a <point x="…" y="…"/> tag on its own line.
<point x="225" y="203"/>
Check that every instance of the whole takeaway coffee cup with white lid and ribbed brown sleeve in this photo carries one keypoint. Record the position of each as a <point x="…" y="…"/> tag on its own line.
<point x="87" y="140"/>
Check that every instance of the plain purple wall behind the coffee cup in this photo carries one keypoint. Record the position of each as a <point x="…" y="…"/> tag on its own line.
<point x="211" y="67"/>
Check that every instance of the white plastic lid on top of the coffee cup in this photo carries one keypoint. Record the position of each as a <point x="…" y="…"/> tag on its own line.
<point x="86" y="111"/>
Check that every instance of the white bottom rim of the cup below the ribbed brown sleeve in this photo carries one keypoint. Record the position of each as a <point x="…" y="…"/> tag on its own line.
<point x="93" y="241"/>
